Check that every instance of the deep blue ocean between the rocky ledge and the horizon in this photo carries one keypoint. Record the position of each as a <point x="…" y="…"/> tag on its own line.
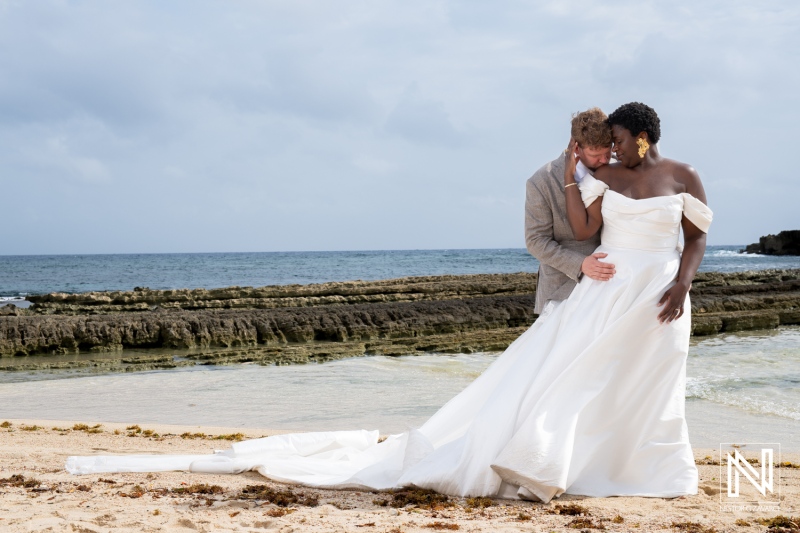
<point x="23" y="275"/>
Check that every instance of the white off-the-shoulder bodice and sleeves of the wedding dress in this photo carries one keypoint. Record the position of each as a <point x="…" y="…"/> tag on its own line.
<point x="651" y="224"/>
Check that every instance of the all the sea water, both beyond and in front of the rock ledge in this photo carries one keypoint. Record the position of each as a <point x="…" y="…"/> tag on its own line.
<point x="741" y="387"/>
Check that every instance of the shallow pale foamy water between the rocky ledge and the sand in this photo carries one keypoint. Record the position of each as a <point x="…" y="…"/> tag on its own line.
<point x="741" y="387"/>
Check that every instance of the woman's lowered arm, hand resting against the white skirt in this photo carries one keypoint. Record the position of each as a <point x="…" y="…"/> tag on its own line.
<point x="694" y="248"/>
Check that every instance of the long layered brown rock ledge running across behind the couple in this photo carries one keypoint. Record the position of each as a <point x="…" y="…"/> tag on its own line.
<point x="320" y="322"/>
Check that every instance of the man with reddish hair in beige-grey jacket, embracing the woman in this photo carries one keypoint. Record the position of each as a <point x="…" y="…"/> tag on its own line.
<point x="548" y="236"/>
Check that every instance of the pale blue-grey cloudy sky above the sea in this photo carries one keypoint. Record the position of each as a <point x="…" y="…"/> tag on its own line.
<point x="202" y="126"/>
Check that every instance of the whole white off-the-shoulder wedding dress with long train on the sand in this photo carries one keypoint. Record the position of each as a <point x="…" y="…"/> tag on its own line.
<point x="589" y="400"/>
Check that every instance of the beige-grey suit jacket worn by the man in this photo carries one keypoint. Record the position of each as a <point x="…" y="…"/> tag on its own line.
<point x="549" y="237"/>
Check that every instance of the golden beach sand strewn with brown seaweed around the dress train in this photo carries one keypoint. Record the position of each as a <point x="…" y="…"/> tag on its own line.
<point x="37" y="494"/>
